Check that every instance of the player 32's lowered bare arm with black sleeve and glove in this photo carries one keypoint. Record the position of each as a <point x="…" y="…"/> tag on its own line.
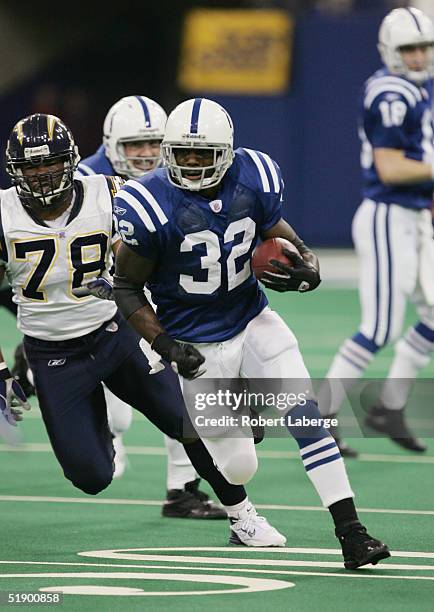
<point x="132" y="272"/>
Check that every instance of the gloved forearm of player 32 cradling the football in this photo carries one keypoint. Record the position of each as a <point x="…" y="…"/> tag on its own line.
<point x="303" y="275"/>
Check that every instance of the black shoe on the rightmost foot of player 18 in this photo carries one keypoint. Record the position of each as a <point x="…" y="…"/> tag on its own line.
<point x="392" y="423"/>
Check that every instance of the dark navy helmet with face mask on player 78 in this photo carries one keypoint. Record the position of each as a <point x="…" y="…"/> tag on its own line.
<point x="41" y="159"/>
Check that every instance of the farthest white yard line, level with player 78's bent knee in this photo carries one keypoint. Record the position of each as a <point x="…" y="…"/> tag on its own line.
<point x="43" y="447"/>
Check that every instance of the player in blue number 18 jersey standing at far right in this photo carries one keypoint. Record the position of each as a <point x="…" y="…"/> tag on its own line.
<point x="392" y="228"/>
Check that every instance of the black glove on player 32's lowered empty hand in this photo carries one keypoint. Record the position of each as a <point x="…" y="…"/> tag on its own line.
<point x="185" y="359"/>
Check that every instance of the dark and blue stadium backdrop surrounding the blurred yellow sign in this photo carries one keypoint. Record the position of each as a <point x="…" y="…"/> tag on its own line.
<point x="76" y="60"/>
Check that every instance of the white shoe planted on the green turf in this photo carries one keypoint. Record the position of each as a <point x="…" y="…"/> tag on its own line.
<point x="250" y="529"/>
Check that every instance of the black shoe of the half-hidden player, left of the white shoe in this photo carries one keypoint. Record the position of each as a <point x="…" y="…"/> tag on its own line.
<point x="191" y="503"/>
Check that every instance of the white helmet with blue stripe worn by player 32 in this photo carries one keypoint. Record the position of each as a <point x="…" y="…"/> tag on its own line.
<point x="201" y="124"/>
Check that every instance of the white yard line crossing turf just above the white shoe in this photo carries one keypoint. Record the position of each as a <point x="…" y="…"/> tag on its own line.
<point x="158" y="502"/>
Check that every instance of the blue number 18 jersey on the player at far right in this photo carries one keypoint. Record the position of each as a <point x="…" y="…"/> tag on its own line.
<point x="396" y="114"/>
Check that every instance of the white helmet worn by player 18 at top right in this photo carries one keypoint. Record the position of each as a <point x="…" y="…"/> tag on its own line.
<point x="406" y="27"/>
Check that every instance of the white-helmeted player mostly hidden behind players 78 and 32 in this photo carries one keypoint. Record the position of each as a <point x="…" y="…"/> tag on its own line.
<point x="132" y="134"/>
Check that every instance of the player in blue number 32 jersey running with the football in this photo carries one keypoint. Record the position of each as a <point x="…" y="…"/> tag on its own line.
<point x="189" y="231"/>
